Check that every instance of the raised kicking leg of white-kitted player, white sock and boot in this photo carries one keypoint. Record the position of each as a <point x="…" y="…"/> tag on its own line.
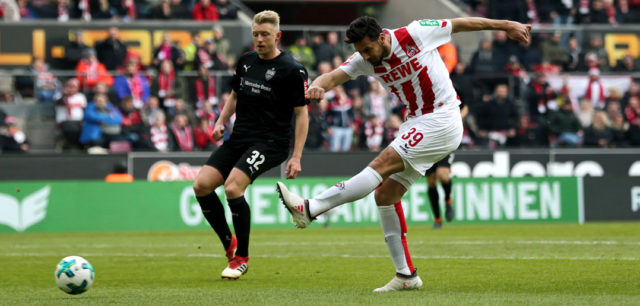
<point x="304" y="211"/>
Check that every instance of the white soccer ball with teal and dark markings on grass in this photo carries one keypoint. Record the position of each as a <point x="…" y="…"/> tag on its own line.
<point x="74" y="275"/>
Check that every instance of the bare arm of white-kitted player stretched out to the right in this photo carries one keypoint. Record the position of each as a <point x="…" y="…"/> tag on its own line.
<point x="515" y="30"/>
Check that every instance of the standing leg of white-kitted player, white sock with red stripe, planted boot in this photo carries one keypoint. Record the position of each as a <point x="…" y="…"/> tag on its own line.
<point x="394" y="227"/>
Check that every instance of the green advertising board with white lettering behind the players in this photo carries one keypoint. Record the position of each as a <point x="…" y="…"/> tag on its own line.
<point x="142" y="206"/>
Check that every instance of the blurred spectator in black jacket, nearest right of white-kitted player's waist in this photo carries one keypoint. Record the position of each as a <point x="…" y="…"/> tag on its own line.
<point x="497" y="118"/>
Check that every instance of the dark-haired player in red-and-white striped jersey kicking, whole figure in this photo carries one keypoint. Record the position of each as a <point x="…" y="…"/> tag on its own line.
<point x="407" y="63"/>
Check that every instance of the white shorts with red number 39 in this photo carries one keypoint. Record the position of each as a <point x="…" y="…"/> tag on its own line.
<point x="423" y="141"/>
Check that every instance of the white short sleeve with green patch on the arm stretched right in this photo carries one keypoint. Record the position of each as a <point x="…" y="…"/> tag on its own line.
<point x="433" y="33"/>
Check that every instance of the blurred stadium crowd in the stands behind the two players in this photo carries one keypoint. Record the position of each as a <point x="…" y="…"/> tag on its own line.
<point x="114" y="103"/>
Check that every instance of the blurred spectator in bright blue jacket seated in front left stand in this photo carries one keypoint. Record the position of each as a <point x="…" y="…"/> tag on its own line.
<point x="101" y="123"/>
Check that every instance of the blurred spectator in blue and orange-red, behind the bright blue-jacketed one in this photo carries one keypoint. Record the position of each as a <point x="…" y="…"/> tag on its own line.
<point x="132" y="84"/>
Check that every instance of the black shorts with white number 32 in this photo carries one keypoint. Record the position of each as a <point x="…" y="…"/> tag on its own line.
<point x="250" y="157"/>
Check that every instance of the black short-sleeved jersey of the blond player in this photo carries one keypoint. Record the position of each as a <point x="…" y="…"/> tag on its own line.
<point x="267" y="92"/>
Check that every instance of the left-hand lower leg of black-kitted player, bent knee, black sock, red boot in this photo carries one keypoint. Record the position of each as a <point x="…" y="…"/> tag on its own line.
<point x="208" y="179"/>
